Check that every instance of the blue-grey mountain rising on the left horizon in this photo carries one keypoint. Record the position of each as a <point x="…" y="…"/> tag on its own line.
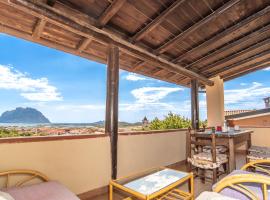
<point x="23" y="115"/>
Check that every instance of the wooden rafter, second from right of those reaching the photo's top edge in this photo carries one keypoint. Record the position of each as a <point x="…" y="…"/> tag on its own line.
<point x="159" y="19"/>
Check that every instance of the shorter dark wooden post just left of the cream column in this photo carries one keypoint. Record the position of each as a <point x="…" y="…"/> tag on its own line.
<point x="194" y="104"/>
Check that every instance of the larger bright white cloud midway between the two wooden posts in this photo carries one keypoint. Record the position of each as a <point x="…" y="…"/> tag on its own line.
<point x="152" y="94"/>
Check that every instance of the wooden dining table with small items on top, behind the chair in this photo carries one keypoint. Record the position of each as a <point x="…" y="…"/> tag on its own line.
<point x="232" y="140"/>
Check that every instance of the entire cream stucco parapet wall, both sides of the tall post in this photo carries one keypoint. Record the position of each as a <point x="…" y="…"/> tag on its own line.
<point x="84" y="164"/>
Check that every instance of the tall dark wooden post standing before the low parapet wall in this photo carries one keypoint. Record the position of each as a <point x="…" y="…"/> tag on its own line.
<point x="111" y="123"/>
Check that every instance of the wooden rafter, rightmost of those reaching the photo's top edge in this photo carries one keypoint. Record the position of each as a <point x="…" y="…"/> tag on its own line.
<point x="196" y="26"/>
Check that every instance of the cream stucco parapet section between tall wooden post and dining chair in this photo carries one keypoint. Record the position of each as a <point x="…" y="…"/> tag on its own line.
<point x="141" y="152"/>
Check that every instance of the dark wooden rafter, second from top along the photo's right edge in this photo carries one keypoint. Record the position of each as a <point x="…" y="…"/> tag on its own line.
<point x="231" y="45"/>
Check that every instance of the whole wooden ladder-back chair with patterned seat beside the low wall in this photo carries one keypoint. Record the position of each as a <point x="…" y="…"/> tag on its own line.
<point x="200" y="162"/>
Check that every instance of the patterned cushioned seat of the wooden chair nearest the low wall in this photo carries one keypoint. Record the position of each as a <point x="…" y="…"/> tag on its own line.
<point x="204" y="160"/>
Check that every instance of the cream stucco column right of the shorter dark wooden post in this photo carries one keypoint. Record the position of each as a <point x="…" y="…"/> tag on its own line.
<point x="215" y="103"/>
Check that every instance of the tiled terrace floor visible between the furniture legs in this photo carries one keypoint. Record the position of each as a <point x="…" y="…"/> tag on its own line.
<point x="198" y="185"/>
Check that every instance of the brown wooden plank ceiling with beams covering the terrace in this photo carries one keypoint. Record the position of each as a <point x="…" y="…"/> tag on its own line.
<point x="171" y="40"/>
